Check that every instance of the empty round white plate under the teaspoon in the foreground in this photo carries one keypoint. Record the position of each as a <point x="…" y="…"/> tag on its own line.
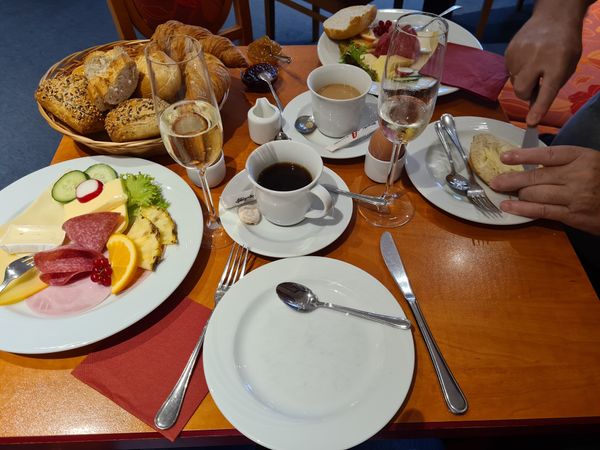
<point x="318" y="380"/>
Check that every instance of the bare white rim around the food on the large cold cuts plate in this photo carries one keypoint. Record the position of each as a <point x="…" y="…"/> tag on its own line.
<point x="23" y="331"/>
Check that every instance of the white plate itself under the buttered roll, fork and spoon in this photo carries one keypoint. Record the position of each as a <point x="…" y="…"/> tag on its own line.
<point x="427" y="167"/>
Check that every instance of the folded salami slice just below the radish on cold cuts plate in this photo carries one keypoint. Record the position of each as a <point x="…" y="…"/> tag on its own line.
<point x="92" y="230"/>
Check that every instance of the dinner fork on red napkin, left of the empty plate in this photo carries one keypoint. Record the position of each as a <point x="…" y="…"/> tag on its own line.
<point x="234" y="270"/>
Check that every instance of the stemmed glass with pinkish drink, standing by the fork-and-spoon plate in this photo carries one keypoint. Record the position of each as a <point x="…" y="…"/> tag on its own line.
<point x="407" y="97"/>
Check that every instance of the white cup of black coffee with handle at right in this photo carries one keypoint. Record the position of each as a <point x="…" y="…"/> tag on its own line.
<point x="285" y="180"/>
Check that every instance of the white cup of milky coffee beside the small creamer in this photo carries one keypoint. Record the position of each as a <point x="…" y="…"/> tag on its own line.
<point x="338" y="93"/>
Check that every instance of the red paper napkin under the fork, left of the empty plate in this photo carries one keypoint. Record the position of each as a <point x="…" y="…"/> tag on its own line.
<point x="140" y="372"/>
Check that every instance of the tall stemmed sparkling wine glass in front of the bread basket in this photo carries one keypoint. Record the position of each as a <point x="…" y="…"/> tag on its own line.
<point x="188" y="116"/>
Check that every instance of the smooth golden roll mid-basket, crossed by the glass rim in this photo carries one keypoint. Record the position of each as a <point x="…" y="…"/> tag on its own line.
<point x="168" y="77"/>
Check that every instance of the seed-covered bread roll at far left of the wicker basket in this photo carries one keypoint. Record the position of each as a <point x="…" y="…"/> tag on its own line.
<point x="67" y="99"/>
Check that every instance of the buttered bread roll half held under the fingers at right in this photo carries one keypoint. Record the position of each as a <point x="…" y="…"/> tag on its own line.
<point x="484" y="157"/>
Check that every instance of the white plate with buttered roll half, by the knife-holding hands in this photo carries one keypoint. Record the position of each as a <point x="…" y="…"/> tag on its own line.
<point x="484" y="140"/>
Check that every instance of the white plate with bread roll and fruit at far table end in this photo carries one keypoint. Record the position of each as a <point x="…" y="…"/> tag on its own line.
<point x="357" y="35"/>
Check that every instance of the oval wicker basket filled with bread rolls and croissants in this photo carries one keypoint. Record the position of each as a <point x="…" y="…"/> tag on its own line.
<point x="101" y="97"/>
